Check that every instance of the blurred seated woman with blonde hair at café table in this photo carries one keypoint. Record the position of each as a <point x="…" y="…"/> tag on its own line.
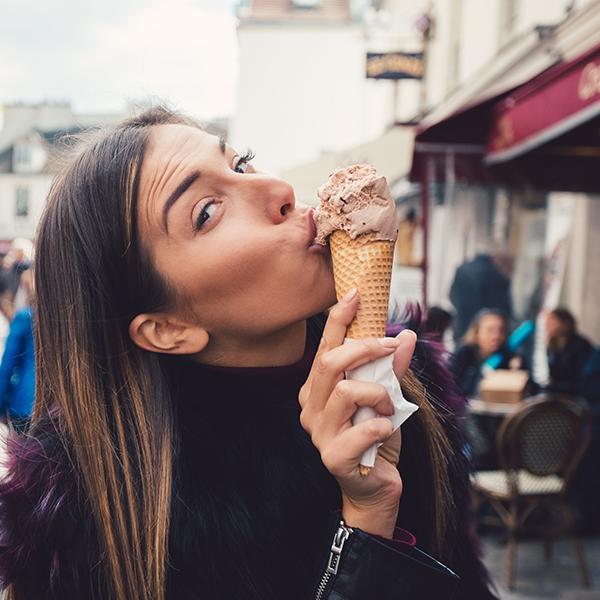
<point x="487" y="335"/>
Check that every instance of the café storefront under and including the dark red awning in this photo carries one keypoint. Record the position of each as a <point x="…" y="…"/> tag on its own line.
<point x="499" y="169"/>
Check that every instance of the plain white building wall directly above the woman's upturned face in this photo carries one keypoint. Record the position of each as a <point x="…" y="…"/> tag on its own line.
<point x="302" y="90"/>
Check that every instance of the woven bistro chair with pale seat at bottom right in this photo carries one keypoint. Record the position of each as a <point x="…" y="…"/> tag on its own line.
<point x="539" y="448"/>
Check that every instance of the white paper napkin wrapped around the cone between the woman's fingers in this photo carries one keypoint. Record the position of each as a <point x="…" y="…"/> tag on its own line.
<point x="380" y="371"/>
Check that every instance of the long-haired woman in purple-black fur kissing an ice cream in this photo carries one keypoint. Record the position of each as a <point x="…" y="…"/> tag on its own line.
<point x="169" y="457"/>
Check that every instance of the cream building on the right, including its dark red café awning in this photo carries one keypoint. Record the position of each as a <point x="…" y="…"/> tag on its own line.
<point x="483" y="60"/>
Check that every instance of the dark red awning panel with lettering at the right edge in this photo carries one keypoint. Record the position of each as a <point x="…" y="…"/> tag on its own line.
<point x="550" y="105"/>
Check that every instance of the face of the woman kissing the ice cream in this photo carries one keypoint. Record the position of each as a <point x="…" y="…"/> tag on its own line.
<point x="231" y="241"/>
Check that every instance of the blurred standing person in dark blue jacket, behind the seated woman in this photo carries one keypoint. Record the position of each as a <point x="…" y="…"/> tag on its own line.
<point x="478" y="284"/>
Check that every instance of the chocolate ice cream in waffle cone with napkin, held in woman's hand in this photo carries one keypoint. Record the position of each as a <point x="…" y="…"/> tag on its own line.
<point x="357" y="216"/>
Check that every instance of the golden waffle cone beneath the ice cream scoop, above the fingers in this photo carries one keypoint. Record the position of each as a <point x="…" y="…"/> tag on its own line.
<point x="366" y="264"/>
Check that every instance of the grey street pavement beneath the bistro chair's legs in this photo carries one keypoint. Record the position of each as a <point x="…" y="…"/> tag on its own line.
<point x="537" y="579"/>
